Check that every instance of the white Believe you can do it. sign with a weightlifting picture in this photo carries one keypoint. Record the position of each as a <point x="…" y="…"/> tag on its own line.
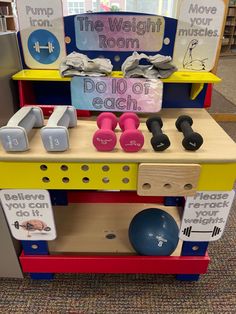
<point x="29" y="214"/>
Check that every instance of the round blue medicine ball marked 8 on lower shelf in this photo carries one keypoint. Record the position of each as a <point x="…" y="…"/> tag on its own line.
<point x="153" y="232"/>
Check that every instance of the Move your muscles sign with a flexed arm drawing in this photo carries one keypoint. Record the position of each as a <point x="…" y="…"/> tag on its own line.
<point x="198" y="34"/>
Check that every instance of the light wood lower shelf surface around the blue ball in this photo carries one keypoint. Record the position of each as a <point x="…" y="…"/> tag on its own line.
<point x="100" y="229"/>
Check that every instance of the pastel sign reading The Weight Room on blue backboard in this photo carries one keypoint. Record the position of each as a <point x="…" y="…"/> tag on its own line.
<point x="119" y="32"/>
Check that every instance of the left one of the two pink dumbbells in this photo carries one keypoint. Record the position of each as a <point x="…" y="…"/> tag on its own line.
<point x="105" y="138"/>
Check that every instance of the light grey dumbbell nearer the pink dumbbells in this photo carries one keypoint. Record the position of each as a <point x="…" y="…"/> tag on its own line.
<point x="55" y="135"/>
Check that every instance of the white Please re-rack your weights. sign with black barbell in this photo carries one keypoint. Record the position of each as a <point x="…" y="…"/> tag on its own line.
<point x="205" y="215"/>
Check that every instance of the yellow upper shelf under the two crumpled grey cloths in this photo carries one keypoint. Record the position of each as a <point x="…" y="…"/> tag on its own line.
<point x="177" y="77"/>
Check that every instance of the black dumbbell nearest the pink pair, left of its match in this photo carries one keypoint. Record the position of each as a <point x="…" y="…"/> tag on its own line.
<point x="159" y="140"/>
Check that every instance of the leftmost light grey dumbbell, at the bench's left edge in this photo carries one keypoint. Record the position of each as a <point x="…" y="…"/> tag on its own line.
<point x="14" y="136"/>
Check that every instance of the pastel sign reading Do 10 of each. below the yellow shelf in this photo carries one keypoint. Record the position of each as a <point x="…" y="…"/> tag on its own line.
<point x="116" y="94"/>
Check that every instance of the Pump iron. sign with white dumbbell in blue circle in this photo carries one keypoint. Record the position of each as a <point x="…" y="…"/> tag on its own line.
<point x="42" y="33"/>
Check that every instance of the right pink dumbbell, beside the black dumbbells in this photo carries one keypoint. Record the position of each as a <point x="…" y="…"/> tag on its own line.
<point x="131" y="140"/>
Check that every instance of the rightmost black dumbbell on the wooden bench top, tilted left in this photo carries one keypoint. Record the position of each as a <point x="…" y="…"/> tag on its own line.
<point x="192" y="140"/>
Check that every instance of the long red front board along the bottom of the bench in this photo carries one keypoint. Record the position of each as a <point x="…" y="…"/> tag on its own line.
<point x="114" y="264"/>
